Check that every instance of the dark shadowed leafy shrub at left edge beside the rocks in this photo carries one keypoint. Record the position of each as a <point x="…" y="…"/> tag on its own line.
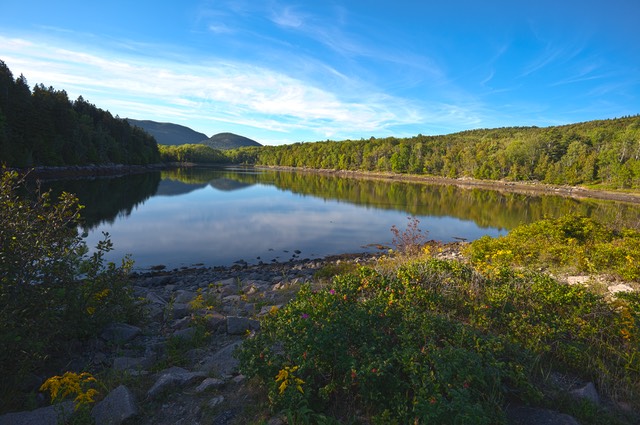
<point x="51" y="292"/>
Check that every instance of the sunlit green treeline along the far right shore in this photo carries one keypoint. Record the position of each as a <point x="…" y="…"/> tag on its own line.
<point x="603" y="152"/>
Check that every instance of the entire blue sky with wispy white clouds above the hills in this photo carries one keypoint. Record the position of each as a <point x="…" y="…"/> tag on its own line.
<point x="283" y="72"/>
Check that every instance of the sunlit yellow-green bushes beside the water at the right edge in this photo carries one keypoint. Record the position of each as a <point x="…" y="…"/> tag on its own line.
<point x="571" y="243"/>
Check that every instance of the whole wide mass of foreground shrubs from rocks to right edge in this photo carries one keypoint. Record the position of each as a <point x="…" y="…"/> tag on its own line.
<point x="435" y="341"/>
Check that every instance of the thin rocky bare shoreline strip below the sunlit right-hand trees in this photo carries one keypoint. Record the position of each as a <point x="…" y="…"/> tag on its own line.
<point x="576" y="192"/>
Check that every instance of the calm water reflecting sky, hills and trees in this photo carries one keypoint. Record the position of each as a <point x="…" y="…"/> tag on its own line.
<point x="220" y="216"/>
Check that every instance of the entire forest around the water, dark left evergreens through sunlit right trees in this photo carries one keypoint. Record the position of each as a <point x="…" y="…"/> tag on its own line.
<point x="43" y="127"/>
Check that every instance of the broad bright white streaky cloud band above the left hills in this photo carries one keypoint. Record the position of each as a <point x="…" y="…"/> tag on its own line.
<point x="217" y="90"/>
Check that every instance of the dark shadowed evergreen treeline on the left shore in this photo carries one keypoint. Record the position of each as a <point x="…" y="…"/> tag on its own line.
<point x="42" y="127"/>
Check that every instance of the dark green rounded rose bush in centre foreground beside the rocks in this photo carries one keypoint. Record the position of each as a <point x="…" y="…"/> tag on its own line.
<point x="368" y="344"/>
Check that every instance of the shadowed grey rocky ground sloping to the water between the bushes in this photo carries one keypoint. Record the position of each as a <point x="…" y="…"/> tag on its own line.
<point x="178" y="368"/>
